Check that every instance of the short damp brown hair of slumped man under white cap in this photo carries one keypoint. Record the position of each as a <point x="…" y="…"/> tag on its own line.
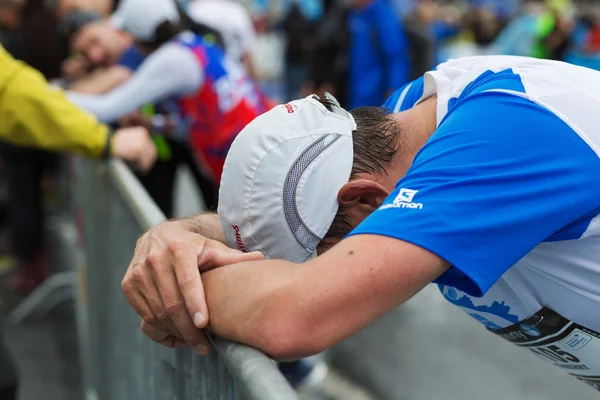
<point x="375" y="143"/>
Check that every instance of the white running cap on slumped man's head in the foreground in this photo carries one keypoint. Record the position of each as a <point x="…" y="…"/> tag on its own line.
<point x="282" y="176"/>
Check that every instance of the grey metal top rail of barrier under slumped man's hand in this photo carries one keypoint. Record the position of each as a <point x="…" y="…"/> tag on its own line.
<point x="253" y="371"/>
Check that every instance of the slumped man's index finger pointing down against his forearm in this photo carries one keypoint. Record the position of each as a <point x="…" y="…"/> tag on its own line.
<point x="185" y="261"/>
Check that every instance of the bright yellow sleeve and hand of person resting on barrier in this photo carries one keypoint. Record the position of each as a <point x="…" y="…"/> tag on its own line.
<point x="34" y="114"/>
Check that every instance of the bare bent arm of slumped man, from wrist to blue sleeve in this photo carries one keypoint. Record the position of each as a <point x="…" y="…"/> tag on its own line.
<point x="294" y="310"/>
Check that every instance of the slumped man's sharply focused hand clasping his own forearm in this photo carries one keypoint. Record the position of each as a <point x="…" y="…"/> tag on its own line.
<point x="163" y="281"/>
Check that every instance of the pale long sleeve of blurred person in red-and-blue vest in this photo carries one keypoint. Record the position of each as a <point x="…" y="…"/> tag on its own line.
<point x="170" y="71"/>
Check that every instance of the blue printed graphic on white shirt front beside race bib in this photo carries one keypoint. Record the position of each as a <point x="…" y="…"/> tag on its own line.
<point x="498" y="309"/>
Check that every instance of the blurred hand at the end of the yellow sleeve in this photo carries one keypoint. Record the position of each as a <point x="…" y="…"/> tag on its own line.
<point x="135" y="146"/>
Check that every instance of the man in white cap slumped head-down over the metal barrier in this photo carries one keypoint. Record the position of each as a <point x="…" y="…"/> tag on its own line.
<point x="483" y="180"/>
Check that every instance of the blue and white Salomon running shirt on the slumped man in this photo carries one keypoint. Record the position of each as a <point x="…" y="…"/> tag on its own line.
<point x="507" y="190"/>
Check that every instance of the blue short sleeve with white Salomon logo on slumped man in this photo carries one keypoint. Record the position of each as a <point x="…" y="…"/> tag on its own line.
<point x="498" y="177"/>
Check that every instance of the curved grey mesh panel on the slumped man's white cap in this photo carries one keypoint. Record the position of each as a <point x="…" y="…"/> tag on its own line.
<point x="307" y="238"/>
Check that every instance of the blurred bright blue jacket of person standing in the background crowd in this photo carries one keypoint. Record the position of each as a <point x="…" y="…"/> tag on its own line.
<point x="378" y="61"/>
